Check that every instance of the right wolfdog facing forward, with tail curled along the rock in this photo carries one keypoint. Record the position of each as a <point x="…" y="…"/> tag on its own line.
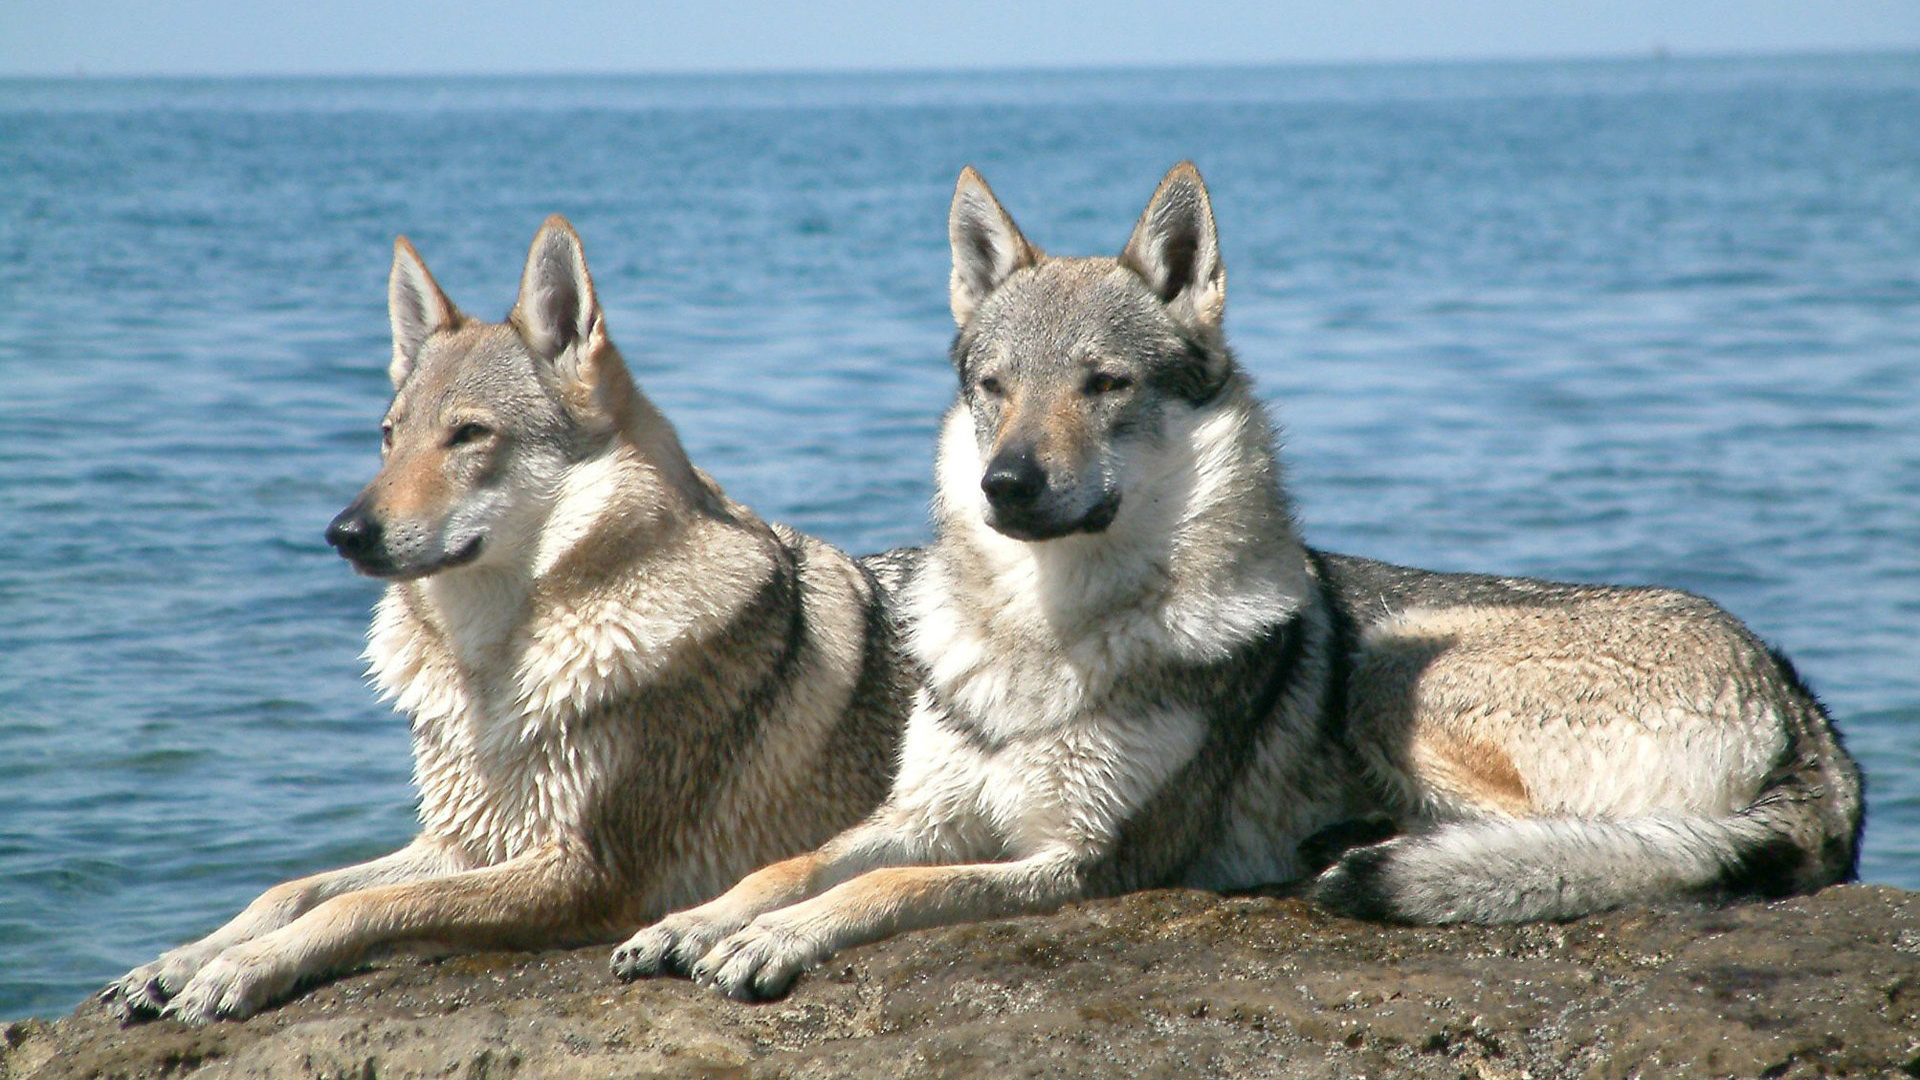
<point x="1140" y="675"/>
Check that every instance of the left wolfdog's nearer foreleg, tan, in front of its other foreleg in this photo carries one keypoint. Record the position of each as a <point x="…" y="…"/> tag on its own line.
<point x="521" y="902"/>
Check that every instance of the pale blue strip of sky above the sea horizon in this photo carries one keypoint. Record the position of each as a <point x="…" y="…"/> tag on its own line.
<point x="316" y="37"/>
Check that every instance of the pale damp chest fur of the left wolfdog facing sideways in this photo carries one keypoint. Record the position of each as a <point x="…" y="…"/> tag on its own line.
<point x="523" y="702"/>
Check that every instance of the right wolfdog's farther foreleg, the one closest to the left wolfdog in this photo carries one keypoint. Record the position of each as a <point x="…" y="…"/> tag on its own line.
<point x="679" y="941"/>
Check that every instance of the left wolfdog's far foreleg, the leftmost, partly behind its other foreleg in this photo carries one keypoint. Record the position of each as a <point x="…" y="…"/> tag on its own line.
<point x="147" y="989"/>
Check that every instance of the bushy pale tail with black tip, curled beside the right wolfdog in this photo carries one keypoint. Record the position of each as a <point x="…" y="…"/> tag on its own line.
<point x="1798" y="837"/>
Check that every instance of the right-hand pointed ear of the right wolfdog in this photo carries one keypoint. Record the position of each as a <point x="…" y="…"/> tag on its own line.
<point x="1176" y="249"/>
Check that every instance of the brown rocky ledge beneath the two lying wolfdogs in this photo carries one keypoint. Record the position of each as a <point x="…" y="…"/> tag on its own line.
<point x="1153" y="985"/>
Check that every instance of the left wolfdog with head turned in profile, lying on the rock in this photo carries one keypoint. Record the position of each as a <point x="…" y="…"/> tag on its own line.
<point x="627" y="691"/>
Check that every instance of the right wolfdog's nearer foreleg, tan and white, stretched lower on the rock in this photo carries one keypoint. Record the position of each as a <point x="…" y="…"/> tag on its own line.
<point x="763" y="960"/>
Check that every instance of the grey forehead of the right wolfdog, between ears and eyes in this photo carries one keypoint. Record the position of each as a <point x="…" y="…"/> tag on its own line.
<point x="1070" y="312"/>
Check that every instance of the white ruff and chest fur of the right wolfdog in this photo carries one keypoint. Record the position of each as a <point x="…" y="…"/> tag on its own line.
<point x="1055" y="714"/>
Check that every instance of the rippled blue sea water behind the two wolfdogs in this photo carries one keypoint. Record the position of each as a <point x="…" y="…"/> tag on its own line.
<point x="1641" y="322"/>
